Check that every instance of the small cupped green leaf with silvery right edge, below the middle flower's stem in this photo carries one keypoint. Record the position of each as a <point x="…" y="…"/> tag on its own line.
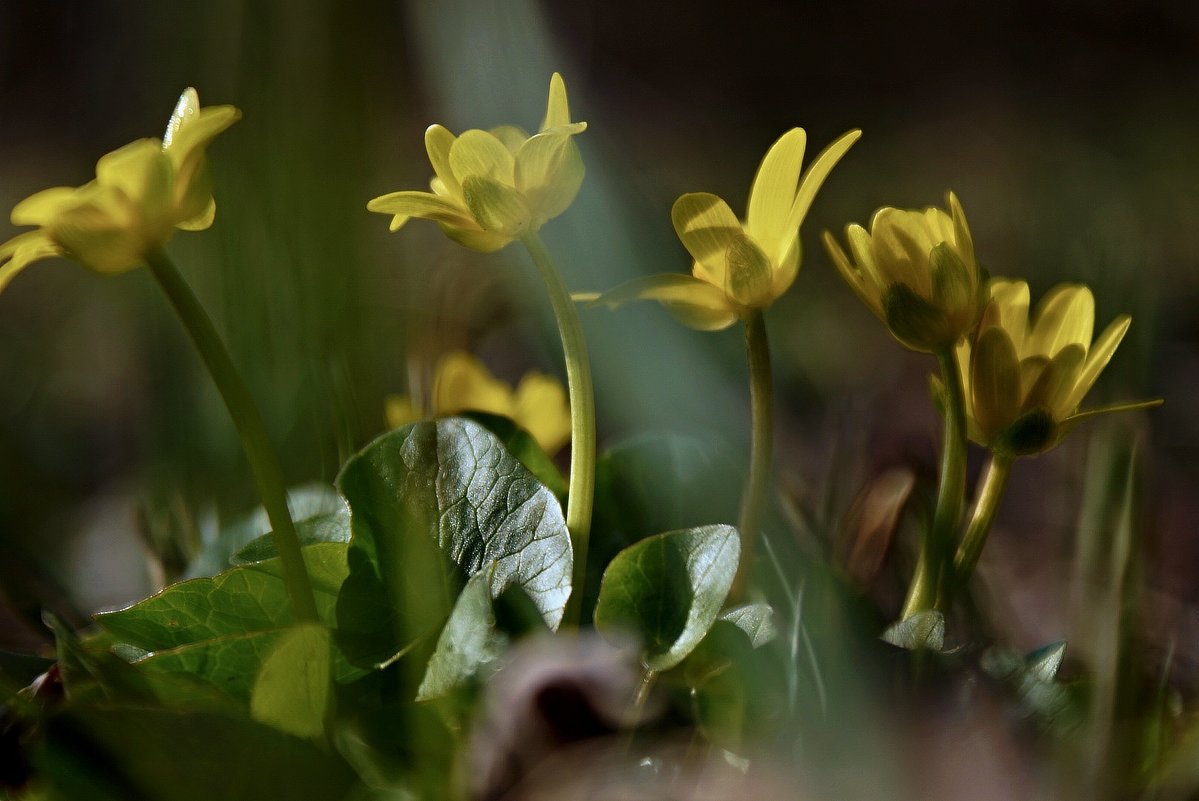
<point x="670" y="589"/>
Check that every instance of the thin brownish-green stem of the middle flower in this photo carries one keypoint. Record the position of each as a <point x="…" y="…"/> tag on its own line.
<point x="762" y="395"/>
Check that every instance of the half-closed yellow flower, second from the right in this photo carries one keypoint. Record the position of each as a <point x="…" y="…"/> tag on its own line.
<point x="917" y="272"/>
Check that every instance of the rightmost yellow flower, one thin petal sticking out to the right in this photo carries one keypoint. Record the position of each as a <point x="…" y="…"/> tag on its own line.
<point x="1023" y="380"/>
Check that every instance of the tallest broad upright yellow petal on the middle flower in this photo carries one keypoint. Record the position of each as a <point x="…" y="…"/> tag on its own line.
<point x="773" y="194"/>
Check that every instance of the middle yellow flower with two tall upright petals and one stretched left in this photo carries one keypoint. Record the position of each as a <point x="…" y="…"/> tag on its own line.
<point x="739" y="267"/>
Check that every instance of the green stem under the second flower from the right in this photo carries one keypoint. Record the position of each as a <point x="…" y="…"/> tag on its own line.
<point x="936" y="552"/>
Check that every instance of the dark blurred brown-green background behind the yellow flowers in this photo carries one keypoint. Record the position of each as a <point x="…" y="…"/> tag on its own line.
<point x="1069" y="130"/>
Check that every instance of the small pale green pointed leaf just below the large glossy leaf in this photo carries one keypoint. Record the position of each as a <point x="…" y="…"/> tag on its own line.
<point x="468" y="643"/>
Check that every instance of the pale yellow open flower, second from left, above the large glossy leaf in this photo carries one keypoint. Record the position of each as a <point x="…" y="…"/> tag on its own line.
<point x="491" y="188"/>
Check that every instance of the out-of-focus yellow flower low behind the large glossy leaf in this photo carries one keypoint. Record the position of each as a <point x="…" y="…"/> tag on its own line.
<point x="461" y="383"/>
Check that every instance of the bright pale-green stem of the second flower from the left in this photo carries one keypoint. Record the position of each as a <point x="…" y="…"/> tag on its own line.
<point x="583" y="419"/>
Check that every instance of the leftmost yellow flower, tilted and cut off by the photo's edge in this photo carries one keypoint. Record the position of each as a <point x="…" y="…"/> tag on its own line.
<point x="142" y="195"/>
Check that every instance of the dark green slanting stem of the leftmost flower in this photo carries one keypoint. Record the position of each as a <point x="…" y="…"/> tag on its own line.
<point x="264" y="463"/>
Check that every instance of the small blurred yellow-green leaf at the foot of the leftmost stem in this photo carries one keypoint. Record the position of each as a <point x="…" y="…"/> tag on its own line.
<point x="292" y="691"/>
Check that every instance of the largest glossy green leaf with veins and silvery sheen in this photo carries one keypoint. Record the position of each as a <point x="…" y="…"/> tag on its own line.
<point x="433" y="504"/>
